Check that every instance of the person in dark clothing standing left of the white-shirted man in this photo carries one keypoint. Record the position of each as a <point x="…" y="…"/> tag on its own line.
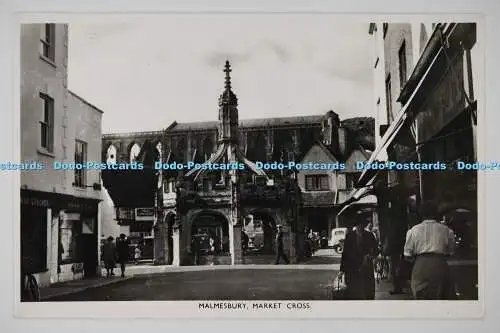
<point x="356" y="267"/>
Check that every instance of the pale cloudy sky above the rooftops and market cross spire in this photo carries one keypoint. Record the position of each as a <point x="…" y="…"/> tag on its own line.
<point x="145" y="74"/>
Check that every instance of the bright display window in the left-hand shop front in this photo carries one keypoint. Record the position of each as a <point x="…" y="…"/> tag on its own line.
<point x="70" y="229"/>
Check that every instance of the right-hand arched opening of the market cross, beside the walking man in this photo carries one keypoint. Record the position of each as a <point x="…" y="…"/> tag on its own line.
<point x="263" y="230"/>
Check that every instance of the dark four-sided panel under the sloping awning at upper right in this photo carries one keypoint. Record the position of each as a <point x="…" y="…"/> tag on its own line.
<point x="446" y="101"/>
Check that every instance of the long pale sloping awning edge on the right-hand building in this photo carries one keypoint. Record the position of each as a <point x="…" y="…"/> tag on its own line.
<point x="404" y="117"/>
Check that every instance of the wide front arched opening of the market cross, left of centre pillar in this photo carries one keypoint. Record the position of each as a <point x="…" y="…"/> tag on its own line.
<point x="212" y="223"/>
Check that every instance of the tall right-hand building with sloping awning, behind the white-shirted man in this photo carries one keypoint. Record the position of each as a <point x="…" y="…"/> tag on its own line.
<point x="430" y="87"/>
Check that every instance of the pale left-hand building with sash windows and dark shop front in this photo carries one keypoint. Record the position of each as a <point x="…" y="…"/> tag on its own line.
<point x="59" y="207"/>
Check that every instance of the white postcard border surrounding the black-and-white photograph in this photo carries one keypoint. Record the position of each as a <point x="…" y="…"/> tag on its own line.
<point x="323" y="309"/>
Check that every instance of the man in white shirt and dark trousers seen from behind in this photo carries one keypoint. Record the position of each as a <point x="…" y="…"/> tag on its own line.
<point x="428" y="244"/>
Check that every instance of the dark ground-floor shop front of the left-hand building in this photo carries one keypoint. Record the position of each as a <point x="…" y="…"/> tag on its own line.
<point x="59" y="239"/>
